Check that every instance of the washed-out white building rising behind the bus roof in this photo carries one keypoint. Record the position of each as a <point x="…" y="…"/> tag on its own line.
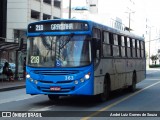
<point x="116" y="14"/>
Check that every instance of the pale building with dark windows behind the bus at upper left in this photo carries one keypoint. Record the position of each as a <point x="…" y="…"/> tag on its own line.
<point x="22" y="12"/>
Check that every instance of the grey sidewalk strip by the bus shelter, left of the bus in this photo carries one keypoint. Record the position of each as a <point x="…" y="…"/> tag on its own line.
<point x="9" y="85"/>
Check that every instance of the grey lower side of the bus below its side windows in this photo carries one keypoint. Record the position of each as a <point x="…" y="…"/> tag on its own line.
<point x="120" y="71"/>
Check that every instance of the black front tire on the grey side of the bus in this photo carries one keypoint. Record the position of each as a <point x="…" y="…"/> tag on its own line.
<point x="106" y="88"/>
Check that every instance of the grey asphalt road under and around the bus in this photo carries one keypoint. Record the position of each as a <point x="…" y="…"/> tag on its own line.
<point x="121" y="106"/>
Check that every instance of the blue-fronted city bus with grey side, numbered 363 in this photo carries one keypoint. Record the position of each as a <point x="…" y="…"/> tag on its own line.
<point x="82" y="57"/>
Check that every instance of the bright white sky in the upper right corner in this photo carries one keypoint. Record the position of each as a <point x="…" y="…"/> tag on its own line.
<point x="149" y="9"/>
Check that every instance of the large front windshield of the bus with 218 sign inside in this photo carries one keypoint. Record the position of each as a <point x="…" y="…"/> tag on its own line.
<point x="59" y="51"/>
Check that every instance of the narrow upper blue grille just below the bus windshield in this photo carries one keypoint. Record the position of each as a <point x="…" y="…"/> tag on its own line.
<point x="55" y="72"/>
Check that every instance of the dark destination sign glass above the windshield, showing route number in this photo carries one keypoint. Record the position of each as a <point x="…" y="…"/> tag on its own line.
<point x="58" y="26"/>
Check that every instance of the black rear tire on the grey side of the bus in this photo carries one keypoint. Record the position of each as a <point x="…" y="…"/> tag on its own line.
<point x="132" y="88"/>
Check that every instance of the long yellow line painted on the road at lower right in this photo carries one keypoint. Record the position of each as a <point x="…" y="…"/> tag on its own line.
<point x="119" y="101"/>
